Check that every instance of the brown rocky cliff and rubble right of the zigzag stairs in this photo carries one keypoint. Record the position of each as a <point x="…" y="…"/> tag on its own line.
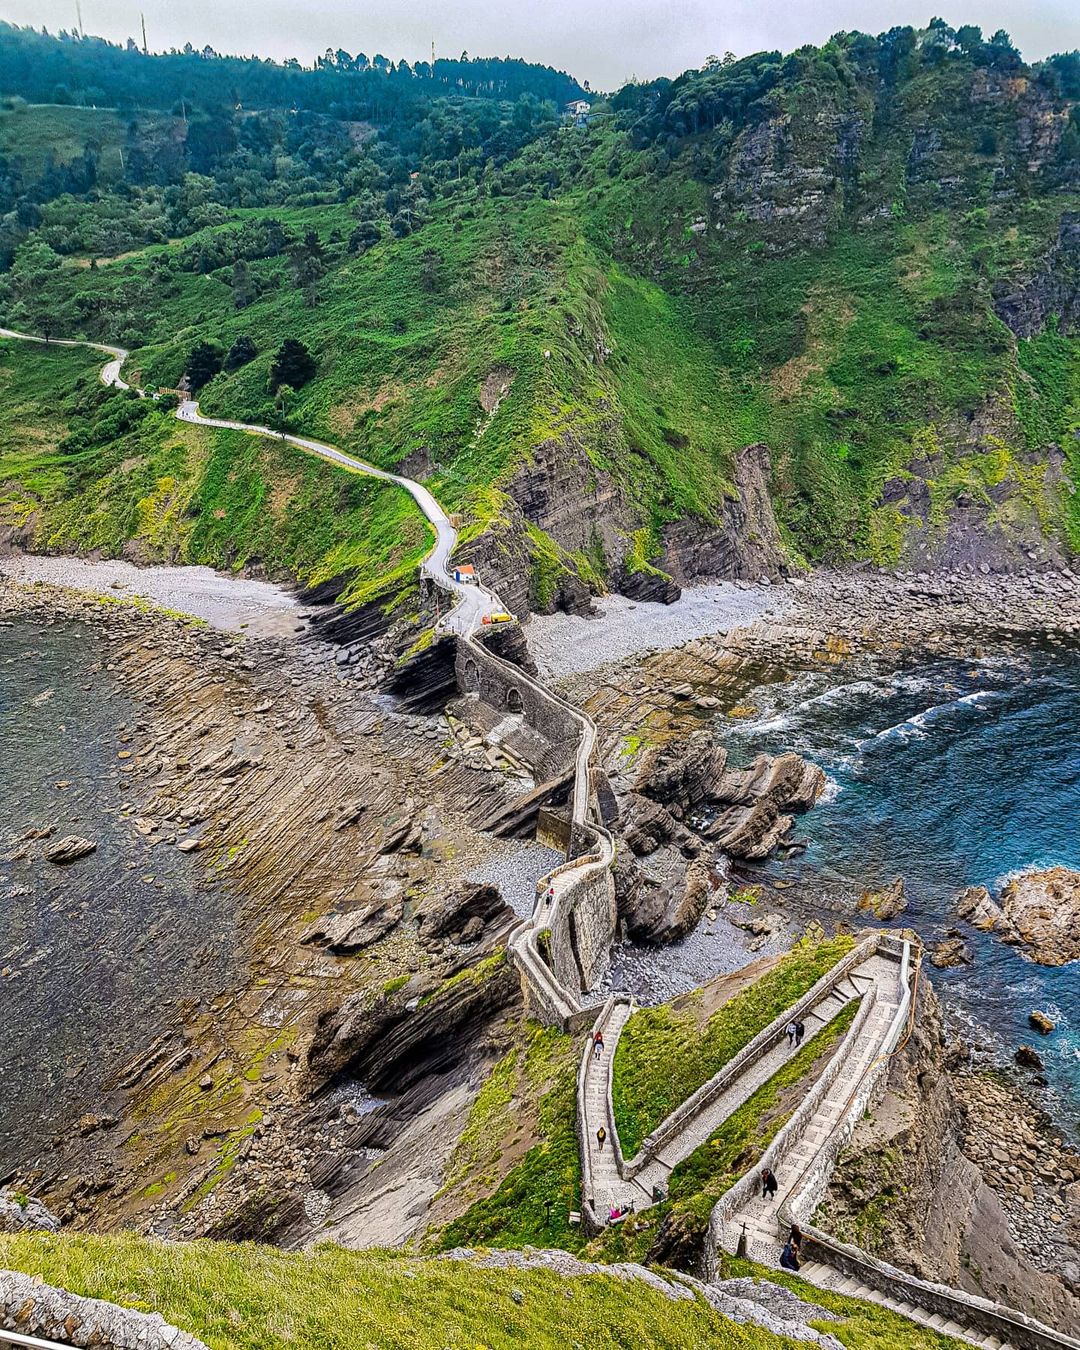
<point x="959" y="1181"/>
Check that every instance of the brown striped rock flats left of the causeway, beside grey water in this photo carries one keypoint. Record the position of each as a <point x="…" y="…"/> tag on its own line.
<point x="337" y="823"/>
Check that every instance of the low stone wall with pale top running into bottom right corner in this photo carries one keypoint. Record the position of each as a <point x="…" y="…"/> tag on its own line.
<point x="969" y="1310"/>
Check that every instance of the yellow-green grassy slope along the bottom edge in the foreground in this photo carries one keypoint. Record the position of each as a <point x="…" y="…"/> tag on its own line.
<point x="254" y="1298"/>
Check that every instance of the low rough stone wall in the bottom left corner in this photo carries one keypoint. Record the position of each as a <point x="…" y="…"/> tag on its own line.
<point x="38" y="1310"/>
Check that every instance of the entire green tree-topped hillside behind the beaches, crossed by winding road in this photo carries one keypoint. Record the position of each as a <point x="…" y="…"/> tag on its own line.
<point x="796" y="308"/>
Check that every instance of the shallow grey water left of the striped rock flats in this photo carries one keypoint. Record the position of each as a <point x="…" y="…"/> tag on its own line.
<point x="95" y="955"/>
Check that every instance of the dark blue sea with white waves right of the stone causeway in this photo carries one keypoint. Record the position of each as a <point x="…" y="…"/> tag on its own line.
<point x="948" y="774"/>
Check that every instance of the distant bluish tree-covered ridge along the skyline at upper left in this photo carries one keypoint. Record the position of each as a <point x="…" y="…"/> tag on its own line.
<point x="43" y="68"/>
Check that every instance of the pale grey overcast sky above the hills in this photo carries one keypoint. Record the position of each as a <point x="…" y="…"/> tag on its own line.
<point x="603" y="41"/>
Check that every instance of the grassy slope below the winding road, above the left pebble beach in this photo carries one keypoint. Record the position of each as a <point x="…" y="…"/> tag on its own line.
<point x="102" y="470"/>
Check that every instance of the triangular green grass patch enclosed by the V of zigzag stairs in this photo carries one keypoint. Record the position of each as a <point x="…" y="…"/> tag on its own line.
<point x="666" y="1054"/>
